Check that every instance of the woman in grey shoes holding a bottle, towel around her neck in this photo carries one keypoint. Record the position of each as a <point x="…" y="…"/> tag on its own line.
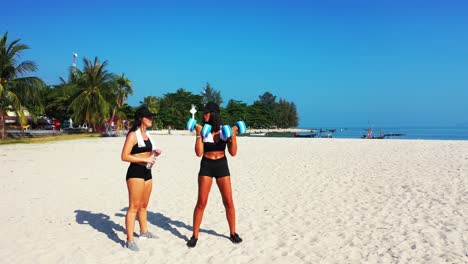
<point x="139" y="149"/>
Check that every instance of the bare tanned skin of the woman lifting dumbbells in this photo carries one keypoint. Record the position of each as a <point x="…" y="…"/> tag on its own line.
<point x="205" y="182"/>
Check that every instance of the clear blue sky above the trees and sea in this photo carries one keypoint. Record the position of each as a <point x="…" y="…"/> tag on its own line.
<point x="342" y="62"/>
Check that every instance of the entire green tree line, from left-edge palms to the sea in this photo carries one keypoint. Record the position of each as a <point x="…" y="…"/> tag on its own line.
<point x="95" y="96"/>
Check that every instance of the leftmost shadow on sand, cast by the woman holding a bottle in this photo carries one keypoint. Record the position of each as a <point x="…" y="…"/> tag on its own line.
<point x="101" y="223"/>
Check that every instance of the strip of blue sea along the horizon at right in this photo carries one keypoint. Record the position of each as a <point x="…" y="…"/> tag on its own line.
<point x="429" y="133"/>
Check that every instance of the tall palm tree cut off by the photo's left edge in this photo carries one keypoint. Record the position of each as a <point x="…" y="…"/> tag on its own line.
<point x="17" y="93"/>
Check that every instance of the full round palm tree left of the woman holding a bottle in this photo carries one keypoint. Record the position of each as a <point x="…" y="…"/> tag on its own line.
<point x="95" y="92"/>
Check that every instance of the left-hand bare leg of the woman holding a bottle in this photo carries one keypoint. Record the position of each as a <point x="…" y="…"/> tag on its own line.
<point x="135" y="192"/>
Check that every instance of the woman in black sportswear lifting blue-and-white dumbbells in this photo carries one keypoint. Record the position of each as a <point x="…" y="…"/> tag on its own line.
<point x="214" y="165"/>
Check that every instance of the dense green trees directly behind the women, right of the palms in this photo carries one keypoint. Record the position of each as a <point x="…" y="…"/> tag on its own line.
<point x="174" y="109"/>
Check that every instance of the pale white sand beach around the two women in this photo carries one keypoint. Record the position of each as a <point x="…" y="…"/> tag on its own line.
<point x="298" y="200"/>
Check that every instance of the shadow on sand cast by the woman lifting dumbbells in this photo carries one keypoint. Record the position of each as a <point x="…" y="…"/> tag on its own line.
<point x="166" y="223"/>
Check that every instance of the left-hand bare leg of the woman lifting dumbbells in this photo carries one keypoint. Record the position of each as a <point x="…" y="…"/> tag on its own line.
<point x="204" y="187"/>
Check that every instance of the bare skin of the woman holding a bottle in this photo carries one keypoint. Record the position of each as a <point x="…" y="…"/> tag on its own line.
<point x="139" y="190"/>
